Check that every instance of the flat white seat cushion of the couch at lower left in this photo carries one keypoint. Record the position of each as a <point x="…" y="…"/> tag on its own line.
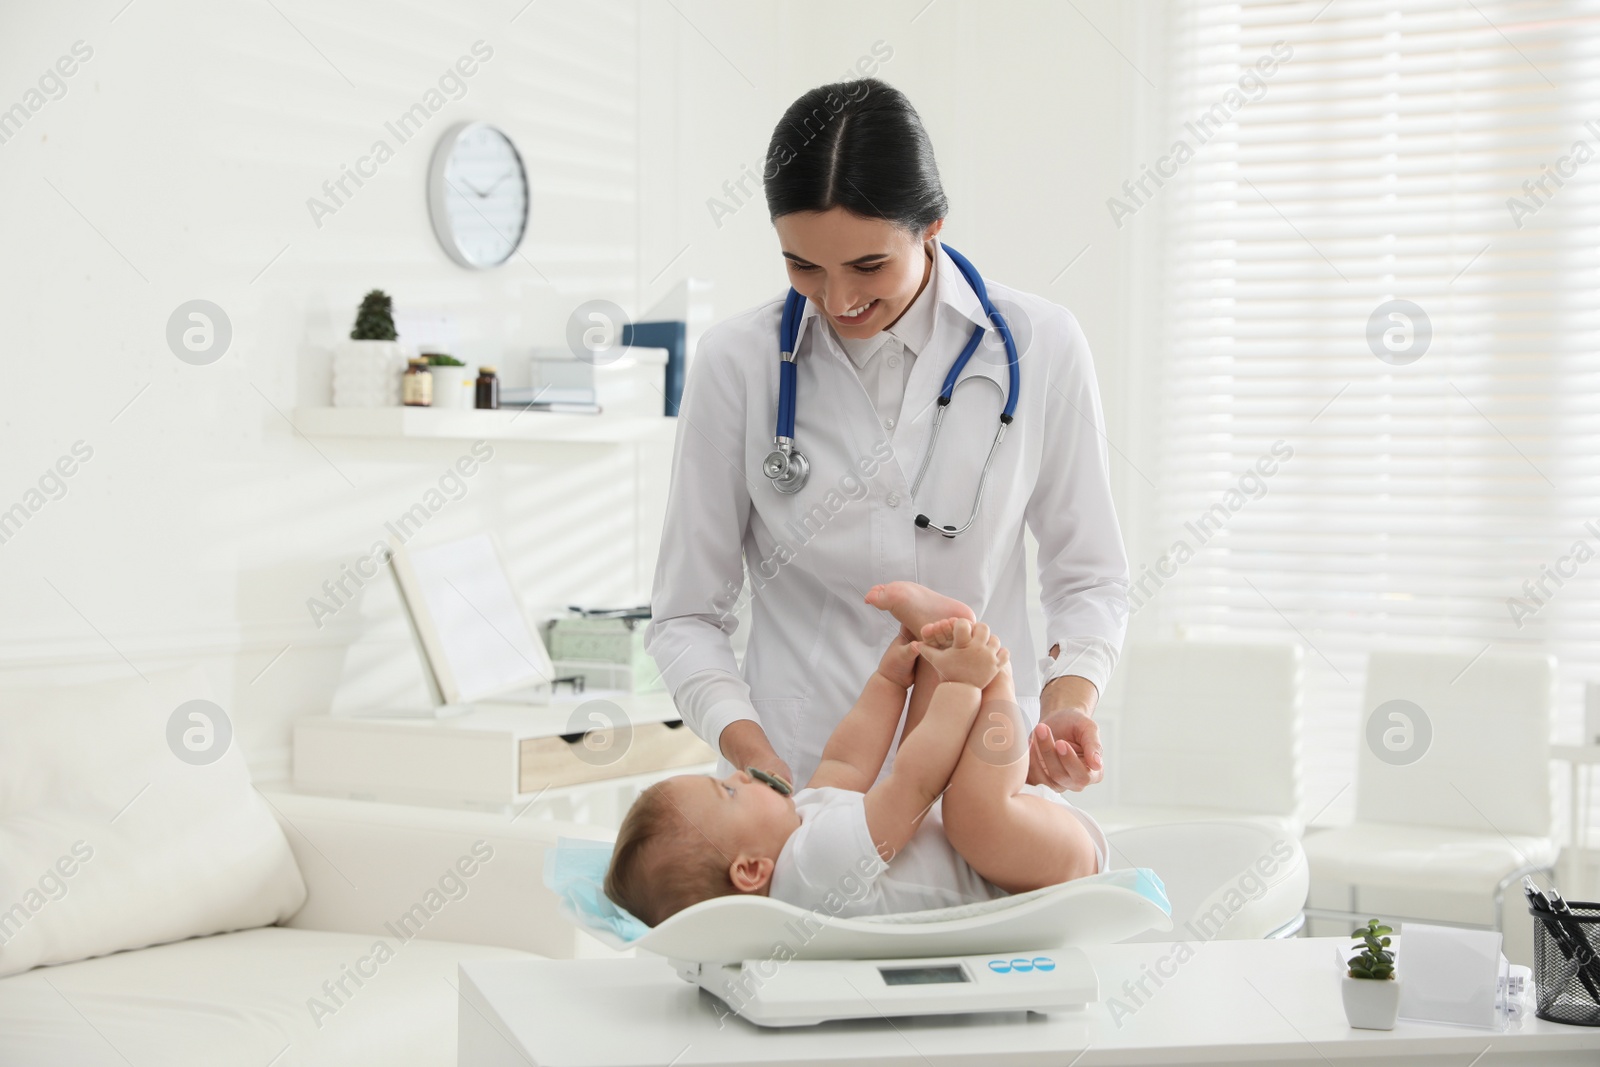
<point x="254" y="997"/>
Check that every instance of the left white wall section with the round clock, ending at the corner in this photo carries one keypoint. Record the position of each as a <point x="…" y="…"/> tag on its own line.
<point x="178" y="166"/>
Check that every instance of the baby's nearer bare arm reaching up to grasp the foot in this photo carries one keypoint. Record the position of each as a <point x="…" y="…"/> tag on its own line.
<point x="929" y="756"/>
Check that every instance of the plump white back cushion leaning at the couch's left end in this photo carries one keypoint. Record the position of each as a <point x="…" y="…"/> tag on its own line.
<point x="110" y="841"/>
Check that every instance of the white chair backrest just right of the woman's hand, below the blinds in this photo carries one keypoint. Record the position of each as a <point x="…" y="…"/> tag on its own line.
<point x="1209" y="730"/>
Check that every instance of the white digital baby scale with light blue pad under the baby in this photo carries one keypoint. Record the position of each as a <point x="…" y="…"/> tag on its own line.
<point x="780" y="965"/>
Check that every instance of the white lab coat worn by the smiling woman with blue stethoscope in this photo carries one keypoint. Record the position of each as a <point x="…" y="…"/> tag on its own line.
<point x="814" y="556"/>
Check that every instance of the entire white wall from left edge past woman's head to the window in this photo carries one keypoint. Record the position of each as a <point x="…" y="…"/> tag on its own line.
<point x="178" y="166"/>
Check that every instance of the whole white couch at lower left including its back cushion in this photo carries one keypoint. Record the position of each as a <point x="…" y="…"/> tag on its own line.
<point x="332" y="929"/>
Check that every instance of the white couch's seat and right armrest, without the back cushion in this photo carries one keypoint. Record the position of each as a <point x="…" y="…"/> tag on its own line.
<point x="247" y="997"/>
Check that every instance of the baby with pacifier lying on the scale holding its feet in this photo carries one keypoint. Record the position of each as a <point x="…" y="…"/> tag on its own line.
<point x="964" y="749"/>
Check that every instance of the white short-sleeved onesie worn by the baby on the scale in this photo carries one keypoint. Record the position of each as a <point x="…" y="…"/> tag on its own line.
<point x="831" y="863"/>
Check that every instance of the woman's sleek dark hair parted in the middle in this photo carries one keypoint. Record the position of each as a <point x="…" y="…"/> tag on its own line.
<point x="857" y="146"/>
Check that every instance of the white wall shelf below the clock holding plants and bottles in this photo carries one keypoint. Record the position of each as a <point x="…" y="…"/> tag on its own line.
<point x="471" y="425"/>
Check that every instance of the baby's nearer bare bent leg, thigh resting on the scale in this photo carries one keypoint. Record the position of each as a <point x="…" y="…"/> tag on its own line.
<point x="1017" y="841"/>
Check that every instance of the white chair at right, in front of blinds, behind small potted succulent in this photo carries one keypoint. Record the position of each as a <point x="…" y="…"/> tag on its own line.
<point x="1470" y="815"/>
